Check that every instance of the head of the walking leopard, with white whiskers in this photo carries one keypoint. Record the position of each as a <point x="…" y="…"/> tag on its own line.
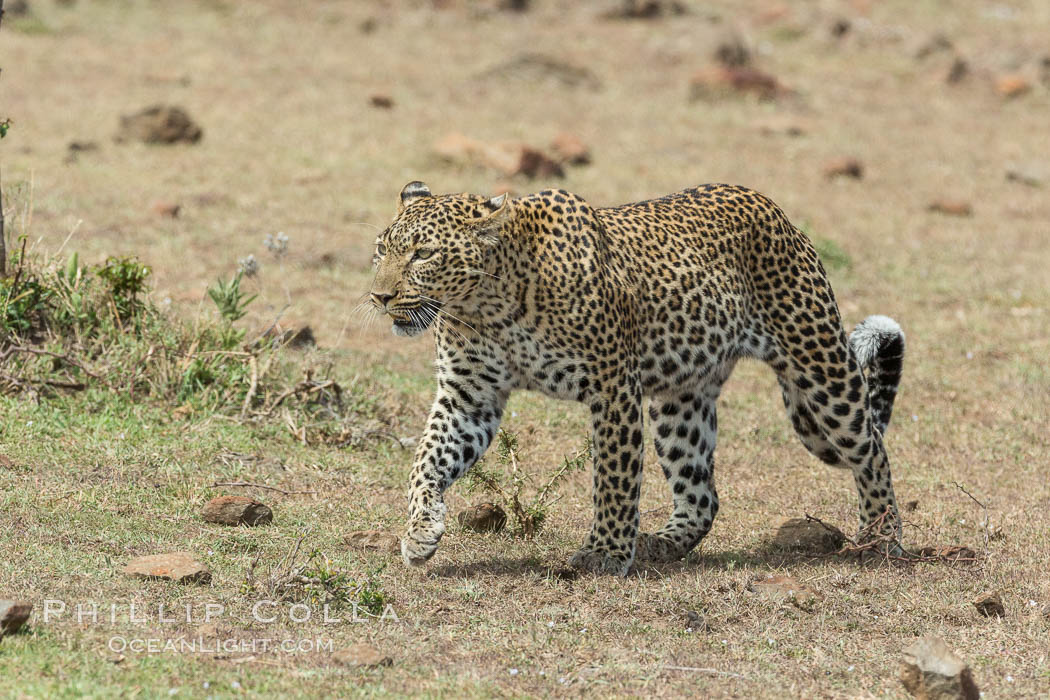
<point x="433" y="256"/>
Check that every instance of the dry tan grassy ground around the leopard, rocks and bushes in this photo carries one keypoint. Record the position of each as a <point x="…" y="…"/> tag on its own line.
<point x="292" y="143"/>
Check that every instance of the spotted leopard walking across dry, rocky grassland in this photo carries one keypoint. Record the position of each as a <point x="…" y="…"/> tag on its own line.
<point x="640" y="309"/>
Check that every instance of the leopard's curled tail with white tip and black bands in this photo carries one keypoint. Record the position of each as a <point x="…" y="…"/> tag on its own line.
<point x="878" y="343"/>
